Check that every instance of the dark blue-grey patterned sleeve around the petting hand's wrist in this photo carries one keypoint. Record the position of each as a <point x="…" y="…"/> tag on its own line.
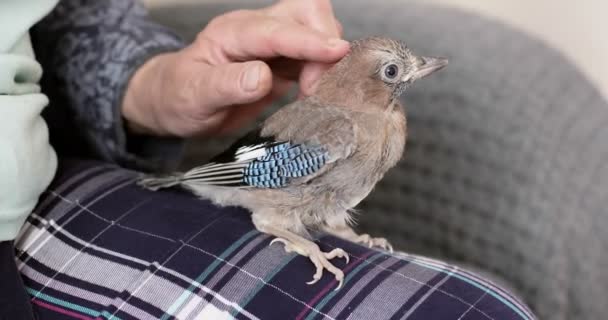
<point x="89" y="49"/>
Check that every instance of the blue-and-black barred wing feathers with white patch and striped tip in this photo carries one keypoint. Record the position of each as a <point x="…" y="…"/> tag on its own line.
<point x="268" y="164"/>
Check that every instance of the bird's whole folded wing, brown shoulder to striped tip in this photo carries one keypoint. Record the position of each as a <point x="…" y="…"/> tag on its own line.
<point x="266" y="159"/>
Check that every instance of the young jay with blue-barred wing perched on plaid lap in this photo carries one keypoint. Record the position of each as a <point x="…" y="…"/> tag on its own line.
<point x="307" y="166"/>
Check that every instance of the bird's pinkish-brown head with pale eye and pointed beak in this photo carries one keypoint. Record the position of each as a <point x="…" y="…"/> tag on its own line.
<point x="376" y="71"/>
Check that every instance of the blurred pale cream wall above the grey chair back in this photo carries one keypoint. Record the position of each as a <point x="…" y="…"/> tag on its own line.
<point x="579" y="29"/>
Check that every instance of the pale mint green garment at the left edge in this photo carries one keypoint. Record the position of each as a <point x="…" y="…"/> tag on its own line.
<point x="27" y="161"/>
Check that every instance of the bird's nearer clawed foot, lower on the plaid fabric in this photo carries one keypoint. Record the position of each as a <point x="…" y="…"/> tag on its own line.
<point x="319" y="258"/>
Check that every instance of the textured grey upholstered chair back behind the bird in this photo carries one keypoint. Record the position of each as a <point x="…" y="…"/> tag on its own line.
<point x="505" y="168"/>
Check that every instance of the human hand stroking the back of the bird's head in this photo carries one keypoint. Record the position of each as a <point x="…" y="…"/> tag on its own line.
<point x="237" y="65"/>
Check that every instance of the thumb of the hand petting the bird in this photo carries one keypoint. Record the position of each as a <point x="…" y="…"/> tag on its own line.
<point x="235" y="83"/>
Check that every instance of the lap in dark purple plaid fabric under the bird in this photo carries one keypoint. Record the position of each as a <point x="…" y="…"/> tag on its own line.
<point x="98" y="246"/>
